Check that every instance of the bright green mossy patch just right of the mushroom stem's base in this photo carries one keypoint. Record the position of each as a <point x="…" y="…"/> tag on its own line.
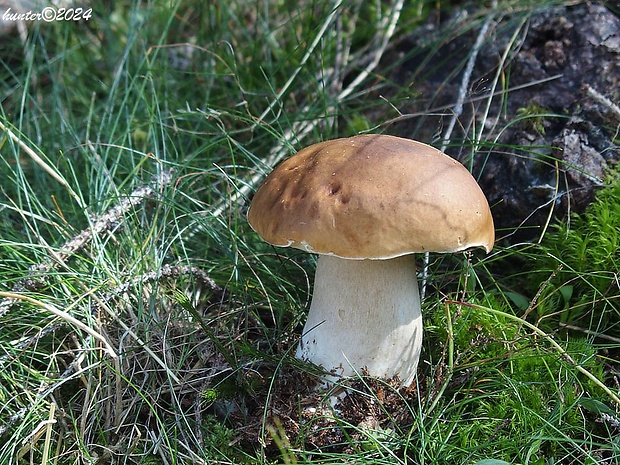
<point x="508" y="382"/>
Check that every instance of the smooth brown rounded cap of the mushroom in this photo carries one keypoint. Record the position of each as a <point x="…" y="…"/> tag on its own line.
<point x="372" y="196"/>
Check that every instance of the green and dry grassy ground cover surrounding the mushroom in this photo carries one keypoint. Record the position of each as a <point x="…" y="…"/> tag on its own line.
<point x="144" y="322"/>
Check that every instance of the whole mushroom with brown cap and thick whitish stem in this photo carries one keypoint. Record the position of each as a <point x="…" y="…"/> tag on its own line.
<point x="365" y="204"/>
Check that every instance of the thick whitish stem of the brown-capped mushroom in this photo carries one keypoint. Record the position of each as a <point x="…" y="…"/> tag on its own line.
<point x="364" y="314"/>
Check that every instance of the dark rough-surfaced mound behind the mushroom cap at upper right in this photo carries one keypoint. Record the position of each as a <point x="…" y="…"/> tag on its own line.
<point x="563" y="72"/>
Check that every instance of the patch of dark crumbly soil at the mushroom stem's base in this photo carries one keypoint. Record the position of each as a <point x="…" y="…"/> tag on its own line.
<point x="300" y="411"/>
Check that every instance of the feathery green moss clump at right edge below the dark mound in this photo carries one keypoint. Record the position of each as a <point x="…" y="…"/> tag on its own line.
<point x="578" y="267"/>
